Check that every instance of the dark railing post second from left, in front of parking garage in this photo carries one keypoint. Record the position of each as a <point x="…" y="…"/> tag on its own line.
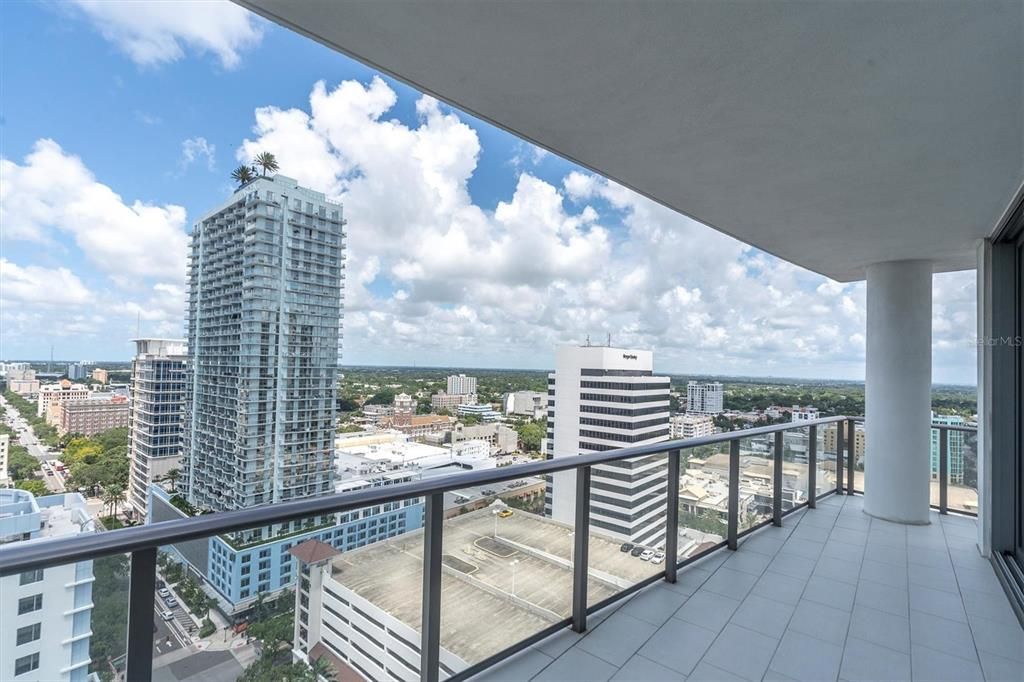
<point x="431" y="641"/>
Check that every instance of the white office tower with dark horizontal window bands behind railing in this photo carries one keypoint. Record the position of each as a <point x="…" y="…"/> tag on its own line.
<point x="604" y="399"/>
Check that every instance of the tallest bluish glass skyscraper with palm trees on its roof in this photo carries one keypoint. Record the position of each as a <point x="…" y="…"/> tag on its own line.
<point x="265" y="318"/>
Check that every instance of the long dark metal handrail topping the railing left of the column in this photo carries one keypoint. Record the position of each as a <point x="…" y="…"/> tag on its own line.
<point x="45" y="553"/>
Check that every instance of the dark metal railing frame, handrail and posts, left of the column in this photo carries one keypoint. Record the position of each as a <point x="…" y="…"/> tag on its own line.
<point x="143" y="543"/>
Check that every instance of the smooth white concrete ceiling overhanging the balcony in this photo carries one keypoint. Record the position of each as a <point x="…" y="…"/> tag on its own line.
<point x="833" y="135"/>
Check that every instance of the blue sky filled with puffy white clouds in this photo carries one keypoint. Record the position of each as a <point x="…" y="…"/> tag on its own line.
<point x="467" y="246"/>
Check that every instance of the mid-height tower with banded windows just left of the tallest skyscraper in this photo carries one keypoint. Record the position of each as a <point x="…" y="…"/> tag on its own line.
<point x="156" y="405"/>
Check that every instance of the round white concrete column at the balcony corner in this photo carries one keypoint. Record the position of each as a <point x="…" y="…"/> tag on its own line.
<point x="899" y="392"/>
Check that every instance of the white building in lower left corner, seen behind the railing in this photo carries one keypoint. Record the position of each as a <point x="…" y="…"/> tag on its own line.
<point x="47" y="613"/>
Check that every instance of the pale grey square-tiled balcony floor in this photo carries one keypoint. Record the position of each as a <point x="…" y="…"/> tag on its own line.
<point x="833" y="595"/>
